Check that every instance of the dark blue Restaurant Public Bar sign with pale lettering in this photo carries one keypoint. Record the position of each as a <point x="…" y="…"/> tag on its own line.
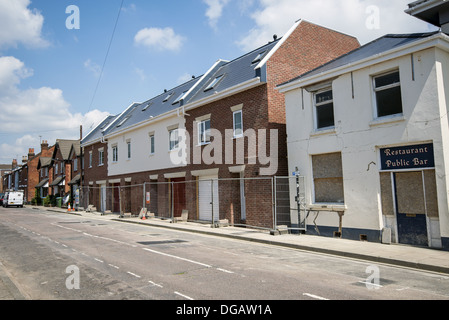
<point x="408" y="157"/>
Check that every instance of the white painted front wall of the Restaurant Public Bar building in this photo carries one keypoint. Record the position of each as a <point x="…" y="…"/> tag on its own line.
<point x="358" y="135"/>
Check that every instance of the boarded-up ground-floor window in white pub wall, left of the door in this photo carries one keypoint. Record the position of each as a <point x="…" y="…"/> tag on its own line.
<point x="328" y="178"/>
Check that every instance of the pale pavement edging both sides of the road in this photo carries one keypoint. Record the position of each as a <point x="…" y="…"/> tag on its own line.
<point x="424" y="259"/>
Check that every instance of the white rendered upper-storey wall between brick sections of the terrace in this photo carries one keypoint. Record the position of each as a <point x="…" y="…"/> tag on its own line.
<point x="141" y="159"/>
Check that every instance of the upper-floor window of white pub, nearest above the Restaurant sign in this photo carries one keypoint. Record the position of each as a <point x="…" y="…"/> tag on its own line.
<point x="387" y="88"/>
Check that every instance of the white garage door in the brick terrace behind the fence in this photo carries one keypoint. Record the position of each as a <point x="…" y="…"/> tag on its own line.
<point x="205" y="197"/>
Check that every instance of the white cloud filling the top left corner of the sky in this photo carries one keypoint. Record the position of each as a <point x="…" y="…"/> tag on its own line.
<point x="20" y="25"/>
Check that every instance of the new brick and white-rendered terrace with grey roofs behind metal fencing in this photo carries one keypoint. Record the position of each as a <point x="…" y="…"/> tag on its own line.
<point x="211" y="145"/>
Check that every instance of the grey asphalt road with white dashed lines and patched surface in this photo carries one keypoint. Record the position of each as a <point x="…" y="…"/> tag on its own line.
<point x="55" y="256"/>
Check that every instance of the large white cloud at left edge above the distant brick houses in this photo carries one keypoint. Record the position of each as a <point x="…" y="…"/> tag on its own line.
<point x="27" y="114"/>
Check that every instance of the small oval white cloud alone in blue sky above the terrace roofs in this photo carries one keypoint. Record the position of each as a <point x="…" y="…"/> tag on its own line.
<point x="159" y="39"/>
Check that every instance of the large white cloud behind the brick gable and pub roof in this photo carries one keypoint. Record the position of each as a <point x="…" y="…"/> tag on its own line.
<point x="352" y="17"/>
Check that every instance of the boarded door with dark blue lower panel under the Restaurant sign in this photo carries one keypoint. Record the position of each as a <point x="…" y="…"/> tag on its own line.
<point x="411" y="208"/>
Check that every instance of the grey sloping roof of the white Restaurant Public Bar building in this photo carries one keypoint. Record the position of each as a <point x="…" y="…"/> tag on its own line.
<point x="378" y="46"/>
